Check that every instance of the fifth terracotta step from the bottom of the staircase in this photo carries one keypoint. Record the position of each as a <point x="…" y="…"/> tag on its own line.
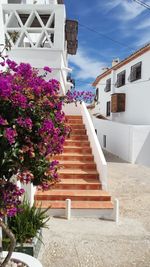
<point x="76" y="164"/>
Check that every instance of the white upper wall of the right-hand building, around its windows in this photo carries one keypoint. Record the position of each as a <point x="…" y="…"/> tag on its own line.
<point x="137" y="94"/>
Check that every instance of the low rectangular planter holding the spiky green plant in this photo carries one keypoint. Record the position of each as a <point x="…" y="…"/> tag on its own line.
<point x="32" y="248"/>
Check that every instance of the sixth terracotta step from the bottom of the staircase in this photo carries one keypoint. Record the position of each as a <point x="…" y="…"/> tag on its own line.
<point x="74" y="156"/>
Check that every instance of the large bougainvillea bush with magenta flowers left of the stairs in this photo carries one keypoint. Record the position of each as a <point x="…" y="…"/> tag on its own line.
<point x="32" y="126"/>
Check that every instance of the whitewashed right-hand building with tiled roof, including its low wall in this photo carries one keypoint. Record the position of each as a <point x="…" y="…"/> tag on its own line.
<point x="123" y="93"/>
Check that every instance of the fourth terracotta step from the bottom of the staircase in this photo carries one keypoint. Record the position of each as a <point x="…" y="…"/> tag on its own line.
<point x="77" y="174"/>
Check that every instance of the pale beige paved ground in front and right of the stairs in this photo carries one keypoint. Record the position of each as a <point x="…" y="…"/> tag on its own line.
<point x="97" y="243"/>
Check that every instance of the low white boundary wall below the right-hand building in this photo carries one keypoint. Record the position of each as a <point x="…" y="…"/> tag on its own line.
<point x="129" y="142"/>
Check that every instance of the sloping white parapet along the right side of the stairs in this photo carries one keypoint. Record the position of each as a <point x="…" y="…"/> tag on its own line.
<point x="95" y="145"/>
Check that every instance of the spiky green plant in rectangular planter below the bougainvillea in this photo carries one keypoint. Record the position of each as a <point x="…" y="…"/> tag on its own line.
<point x="27" y="227"/>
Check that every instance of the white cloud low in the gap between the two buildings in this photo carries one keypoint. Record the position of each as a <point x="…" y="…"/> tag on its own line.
<point x="87" y="67"/>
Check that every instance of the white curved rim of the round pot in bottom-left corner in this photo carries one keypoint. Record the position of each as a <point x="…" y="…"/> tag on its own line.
<point x="27" y="259"/>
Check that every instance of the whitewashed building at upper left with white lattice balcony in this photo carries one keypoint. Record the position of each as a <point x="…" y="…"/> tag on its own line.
<point x="38" y="33"/>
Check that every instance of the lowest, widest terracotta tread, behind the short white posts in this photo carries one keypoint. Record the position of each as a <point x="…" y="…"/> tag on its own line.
<point x="75" y="204"/>
